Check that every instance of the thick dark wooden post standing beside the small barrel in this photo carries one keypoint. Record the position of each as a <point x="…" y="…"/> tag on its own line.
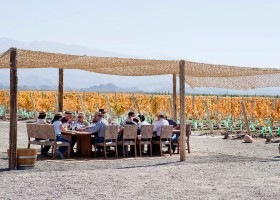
<point x="13" y="109"/>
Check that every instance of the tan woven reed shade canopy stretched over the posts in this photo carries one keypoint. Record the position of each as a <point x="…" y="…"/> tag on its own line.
<point x="197" y="74"/>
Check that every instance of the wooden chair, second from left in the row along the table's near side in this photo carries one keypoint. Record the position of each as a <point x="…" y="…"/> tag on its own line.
<point x="129" y="138"/>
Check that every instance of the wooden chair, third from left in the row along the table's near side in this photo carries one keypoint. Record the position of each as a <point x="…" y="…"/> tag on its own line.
<point x="146" y="137"/>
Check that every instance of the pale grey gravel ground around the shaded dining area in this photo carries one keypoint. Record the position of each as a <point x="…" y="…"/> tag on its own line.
<point x="215" y="169"/>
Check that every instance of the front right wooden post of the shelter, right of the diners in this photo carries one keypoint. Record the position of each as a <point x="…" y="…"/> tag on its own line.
<point x="182" y="112"/>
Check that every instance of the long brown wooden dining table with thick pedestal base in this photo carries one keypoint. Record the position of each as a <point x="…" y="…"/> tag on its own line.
<point x="84" y="146"/>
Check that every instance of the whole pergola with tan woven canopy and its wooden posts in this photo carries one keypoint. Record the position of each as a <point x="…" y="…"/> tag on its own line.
<point x="194" y="74"/>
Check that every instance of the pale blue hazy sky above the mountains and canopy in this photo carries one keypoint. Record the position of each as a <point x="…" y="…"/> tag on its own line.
<point x="236" y="32"/>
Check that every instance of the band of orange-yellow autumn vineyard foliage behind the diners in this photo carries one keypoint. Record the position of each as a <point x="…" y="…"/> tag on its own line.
<point x="260" y="110"/>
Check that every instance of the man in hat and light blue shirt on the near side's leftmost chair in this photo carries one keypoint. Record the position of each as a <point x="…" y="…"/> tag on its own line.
<point x="98" y="130"/>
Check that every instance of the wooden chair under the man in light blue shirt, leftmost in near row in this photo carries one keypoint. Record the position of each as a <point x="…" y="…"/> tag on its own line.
<point x="111" y="135"/>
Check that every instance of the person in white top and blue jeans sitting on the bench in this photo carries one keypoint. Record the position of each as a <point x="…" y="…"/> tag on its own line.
<point x="58" y="128"/>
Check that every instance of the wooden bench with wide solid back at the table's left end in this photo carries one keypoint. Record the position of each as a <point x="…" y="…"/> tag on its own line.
<point x="46" y="137"/>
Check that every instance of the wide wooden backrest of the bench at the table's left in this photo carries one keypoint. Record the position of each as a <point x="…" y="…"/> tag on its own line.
<point x="42" y="131"/>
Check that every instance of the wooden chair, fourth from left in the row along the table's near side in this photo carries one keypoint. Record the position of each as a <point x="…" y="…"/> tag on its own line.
<point x="166" y="133"/>
